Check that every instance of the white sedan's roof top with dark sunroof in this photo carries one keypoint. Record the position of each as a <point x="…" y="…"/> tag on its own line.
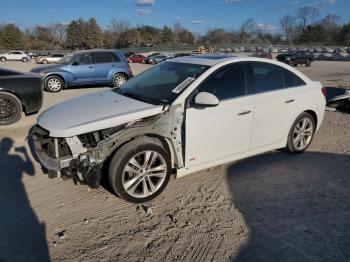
<point x="208" y="60"/>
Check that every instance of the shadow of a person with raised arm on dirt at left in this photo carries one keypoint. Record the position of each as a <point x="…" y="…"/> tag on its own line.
<point x="22" y="236"/>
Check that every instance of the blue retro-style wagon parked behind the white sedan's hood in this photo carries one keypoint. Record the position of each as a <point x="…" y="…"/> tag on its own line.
<point x="82" y="68"/>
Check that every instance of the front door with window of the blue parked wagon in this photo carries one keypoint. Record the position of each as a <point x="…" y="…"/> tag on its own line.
<point x="82" y="69"/>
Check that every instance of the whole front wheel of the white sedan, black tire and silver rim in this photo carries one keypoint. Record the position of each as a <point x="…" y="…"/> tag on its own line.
<point x="130" y="177"/>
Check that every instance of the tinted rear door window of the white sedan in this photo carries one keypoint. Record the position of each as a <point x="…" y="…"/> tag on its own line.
<point x="267" y="77"/>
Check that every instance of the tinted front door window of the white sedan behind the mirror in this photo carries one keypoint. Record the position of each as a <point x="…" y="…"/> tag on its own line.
<point x="226" y="83"/>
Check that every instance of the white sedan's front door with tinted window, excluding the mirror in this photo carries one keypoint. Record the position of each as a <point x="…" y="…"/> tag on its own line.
<point x="216" y="133"/>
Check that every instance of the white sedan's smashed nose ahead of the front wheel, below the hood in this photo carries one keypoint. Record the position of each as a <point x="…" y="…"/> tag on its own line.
<point x="72" y="157"/>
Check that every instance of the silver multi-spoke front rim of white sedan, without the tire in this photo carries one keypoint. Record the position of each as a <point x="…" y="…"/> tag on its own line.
<point x="144" y="174"/>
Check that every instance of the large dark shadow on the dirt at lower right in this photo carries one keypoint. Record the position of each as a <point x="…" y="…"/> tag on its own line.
<point x="297" y="207"/>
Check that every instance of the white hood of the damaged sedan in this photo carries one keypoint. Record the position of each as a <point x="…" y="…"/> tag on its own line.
<point x="94" y="112"/>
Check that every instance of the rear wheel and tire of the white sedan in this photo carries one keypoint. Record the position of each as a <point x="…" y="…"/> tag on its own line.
<point x="300" y="136"/>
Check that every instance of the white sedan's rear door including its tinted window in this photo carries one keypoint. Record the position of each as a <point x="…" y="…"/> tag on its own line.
<point x="272" y="105"/>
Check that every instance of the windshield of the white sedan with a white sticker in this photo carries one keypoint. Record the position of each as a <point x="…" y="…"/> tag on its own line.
<point x="163" y="83"/>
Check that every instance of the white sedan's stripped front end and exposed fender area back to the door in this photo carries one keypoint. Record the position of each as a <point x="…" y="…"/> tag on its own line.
<point x="81" y="157"/>
